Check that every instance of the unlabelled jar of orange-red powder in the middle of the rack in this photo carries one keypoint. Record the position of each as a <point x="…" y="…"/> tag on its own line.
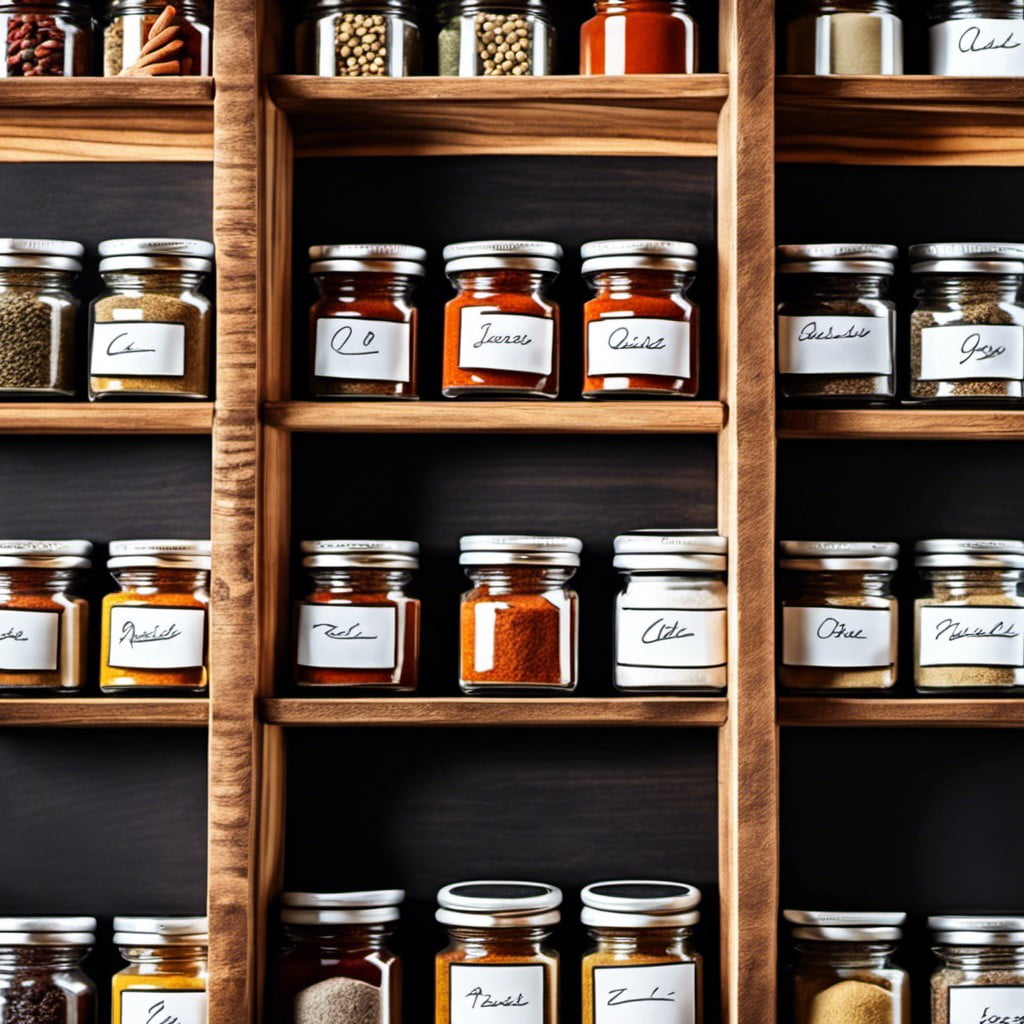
<point x="521" y="621"/>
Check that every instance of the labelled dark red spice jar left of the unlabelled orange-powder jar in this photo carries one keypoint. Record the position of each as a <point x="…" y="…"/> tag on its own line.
<point x="357" y="626"/>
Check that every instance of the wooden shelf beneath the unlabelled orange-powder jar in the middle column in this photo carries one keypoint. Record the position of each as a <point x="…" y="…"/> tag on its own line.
<point x="498" y="711"/>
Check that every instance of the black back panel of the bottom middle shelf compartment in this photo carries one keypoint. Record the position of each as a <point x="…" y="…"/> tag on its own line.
<point x="420" y="809"/>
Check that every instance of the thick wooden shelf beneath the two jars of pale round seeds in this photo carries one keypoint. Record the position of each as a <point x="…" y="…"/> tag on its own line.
<point x="571" y="115"/>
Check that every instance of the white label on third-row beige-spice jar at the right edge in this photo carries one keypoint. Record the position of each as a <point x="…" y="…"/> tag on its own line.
<point x="972" y="636"/>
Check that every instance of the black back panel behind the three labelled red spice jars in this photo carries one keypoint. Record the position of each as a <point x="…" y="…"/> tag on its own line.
<point x="436" y="201"/>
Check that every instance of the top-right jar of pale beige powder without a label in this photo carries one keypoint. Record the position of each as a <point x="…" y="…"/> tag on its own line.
<point x="844" y="37"/>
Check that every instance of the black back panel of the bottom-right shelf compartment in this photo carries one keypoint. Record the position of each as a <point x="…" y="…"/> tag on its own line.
<point x="927" y="822"/>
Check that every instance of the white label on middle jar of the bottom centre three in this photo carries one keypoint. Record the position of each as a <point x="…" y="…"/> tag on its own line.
<point x="509" y="995"/>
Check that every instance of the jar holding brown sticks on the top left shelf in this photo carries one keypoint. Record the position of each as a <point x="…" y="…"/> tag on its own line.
<point x="157" y="38"/>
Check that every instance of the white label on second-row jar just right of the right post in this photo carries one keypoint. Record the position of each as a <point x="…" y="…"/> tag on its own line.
<point x="835" y="346"/>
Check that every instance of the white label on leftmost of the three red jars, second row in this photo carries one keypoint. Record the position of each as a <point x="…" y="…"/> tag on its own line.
<point x="352" y="349"/>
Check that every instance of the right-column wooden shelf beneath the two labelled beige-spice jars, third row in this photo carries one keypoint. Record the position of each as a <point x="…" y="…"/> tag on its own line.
<point x="888" y="713"/>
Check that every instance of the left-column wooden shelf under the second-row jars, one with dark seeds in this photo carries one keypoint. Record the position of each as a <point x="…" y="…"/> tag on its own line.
<point x="97" y="418"/>
